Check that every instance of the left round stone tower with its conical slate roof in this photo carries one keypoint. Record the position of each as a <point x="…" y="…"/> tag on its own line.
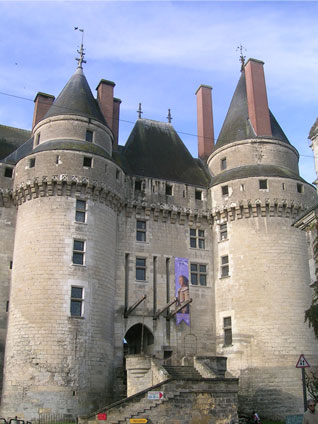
<point x="59" y="345"/>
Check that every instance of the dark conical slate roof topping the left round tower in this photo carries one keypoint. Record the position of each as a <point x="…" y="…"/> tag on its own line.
<point x="76" y="98"/>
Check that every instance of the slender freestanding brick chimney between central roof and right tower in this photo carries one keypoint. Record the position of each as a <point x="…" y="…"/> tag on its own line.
<point x="205" y="121"/>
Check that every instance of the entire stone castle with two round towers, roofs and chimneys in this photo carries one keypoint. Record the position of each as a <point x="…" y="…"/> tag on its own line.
<point x="110" y="250"/>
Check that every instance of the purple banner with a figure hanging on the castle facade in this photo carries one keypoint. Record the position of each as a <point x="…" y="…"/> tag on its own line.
<point x="182" y="289"/>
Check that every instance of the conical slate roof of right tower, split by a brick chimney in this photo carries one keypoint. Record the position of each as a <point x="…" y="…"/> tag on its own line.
<point x="237" y="127"/>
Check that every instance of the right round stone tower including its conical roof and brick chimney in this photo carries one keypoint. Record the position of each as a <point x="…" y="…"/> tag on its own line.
<point x="262" y="272"/>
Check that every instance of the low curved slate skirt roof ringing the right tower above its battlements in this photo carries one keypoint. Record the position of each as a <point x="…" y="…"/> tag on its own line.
<point x="255" y="171"/>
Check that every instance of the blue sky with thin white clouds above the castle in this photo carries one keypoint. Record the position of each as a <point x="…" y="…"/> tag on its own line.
<point x="158" y="53"/>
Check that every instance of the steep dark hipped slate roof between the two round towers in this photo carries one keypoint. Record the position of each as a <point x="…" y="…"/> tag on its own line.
<point x="155" y="150"/>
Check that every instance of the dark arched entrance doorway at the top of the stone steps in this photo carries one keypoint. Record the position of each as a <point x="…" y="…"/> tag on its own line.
<point x="138" y="339"/>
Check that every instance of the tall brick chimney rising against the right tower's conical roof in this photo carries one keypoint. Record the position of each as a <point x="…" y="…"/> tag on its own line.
<point x="258" y="111"/>
